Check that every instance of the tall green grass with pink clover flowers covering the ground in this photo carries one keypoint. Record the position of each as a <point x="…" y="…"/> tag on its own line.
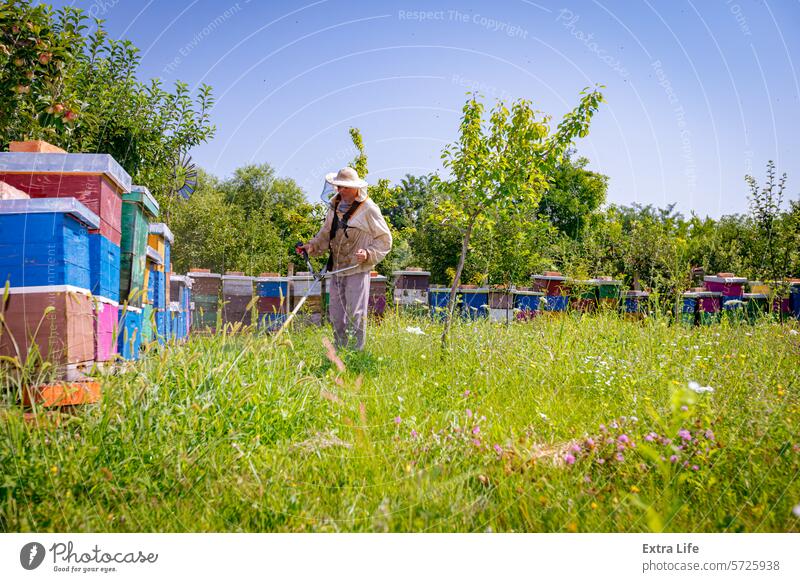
<point x="559" y="424"/>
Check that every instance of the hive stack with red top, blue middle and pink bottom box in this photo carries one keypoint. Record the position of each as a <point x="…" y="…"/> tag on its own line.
<point x="97" y="181"/>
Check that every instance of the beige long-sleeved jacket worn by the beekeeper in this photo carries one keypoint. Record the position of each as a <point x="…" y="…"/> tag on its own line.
<point x="367" y="229"/>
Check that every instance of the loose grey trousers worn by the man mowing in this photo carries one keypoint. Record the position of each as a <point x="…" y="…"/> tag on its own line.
<point x="348" y="309"/>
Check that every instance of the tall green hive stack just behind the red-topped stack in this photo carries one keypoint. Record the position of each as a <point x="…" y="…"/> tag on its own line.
<point x="139" y="208"/>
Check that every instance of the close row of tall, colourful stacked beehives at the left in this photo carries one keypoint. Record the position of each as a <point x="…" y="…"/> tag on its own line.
<point x="87" y="268"/>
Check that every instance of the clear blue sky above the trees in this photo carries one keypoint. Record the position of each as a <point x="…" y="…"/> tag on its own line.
<point x="698" y="92"/>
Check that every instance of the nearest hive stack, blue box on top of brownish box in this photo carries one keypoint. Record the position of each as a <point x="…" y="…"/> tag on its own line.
<point x="44" y="258"/>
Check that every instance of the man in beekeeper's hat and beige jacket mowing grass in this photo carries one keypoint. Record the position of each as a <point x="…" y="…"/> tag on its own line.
<point x="357" y="237"/>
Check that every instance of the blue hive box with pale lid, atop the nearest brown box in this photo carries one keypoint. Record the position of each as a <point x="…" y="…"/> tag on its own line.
<point x="45" y="241"/>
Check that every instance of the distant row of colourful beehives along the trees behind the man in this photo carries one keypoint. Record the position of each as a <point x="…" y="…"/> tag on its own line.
<point x="270" y="297"/>
